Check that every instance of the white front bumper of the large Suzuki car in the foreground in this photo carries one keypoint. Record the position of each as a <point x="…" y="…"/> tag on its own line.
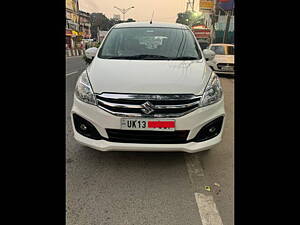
<point x="102" y="120"/>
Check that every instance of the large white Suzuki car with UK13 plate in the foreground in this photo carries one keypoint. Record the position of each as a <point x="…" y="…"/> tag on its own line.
<point x="139" y="94"/>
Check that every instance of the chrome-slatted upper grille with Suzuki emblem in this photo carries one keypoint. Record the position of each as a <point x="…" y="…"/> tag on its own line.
<point x="148" y="105"/>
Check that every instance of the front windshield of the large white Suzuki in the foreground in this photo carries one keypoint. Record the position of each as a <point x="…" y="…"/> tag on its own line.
<point x="150" y="43"/>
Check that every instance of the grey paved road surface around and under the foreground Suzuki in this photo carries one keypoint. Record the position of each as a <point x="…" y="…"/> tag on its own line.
<point x="135" y="188"/>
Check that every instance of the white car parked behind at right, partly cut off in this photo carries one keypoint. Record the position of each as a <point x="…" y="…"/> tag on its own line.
<point x="223" y="61"/>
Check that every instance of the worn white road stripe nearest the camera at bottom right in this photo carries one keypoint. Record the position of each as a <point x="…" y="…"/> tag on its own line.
<point x="207" y="209"/>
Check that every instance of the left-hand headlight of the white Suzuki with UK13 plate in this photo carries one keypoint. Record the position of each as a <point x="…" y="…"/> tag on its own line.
<point x="83" y="89"/>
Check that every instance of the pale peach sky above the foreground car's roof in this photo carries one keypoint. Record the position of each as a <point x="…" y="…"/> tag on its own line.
<point x="164" y="10"/>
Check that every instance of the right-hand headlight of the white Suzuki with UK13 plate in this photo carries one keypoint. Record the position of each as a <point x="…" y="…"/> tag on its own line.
<point x="213" y="91"/>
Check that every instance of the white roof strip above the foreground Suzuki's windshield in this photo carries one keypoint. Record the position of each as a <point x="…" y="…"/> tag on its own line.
<point x="148" y="24"/>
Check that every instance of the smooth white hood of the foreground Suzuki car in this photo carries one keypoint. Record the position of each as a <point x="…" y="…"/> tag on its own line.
<point x="148" y="76"/>
